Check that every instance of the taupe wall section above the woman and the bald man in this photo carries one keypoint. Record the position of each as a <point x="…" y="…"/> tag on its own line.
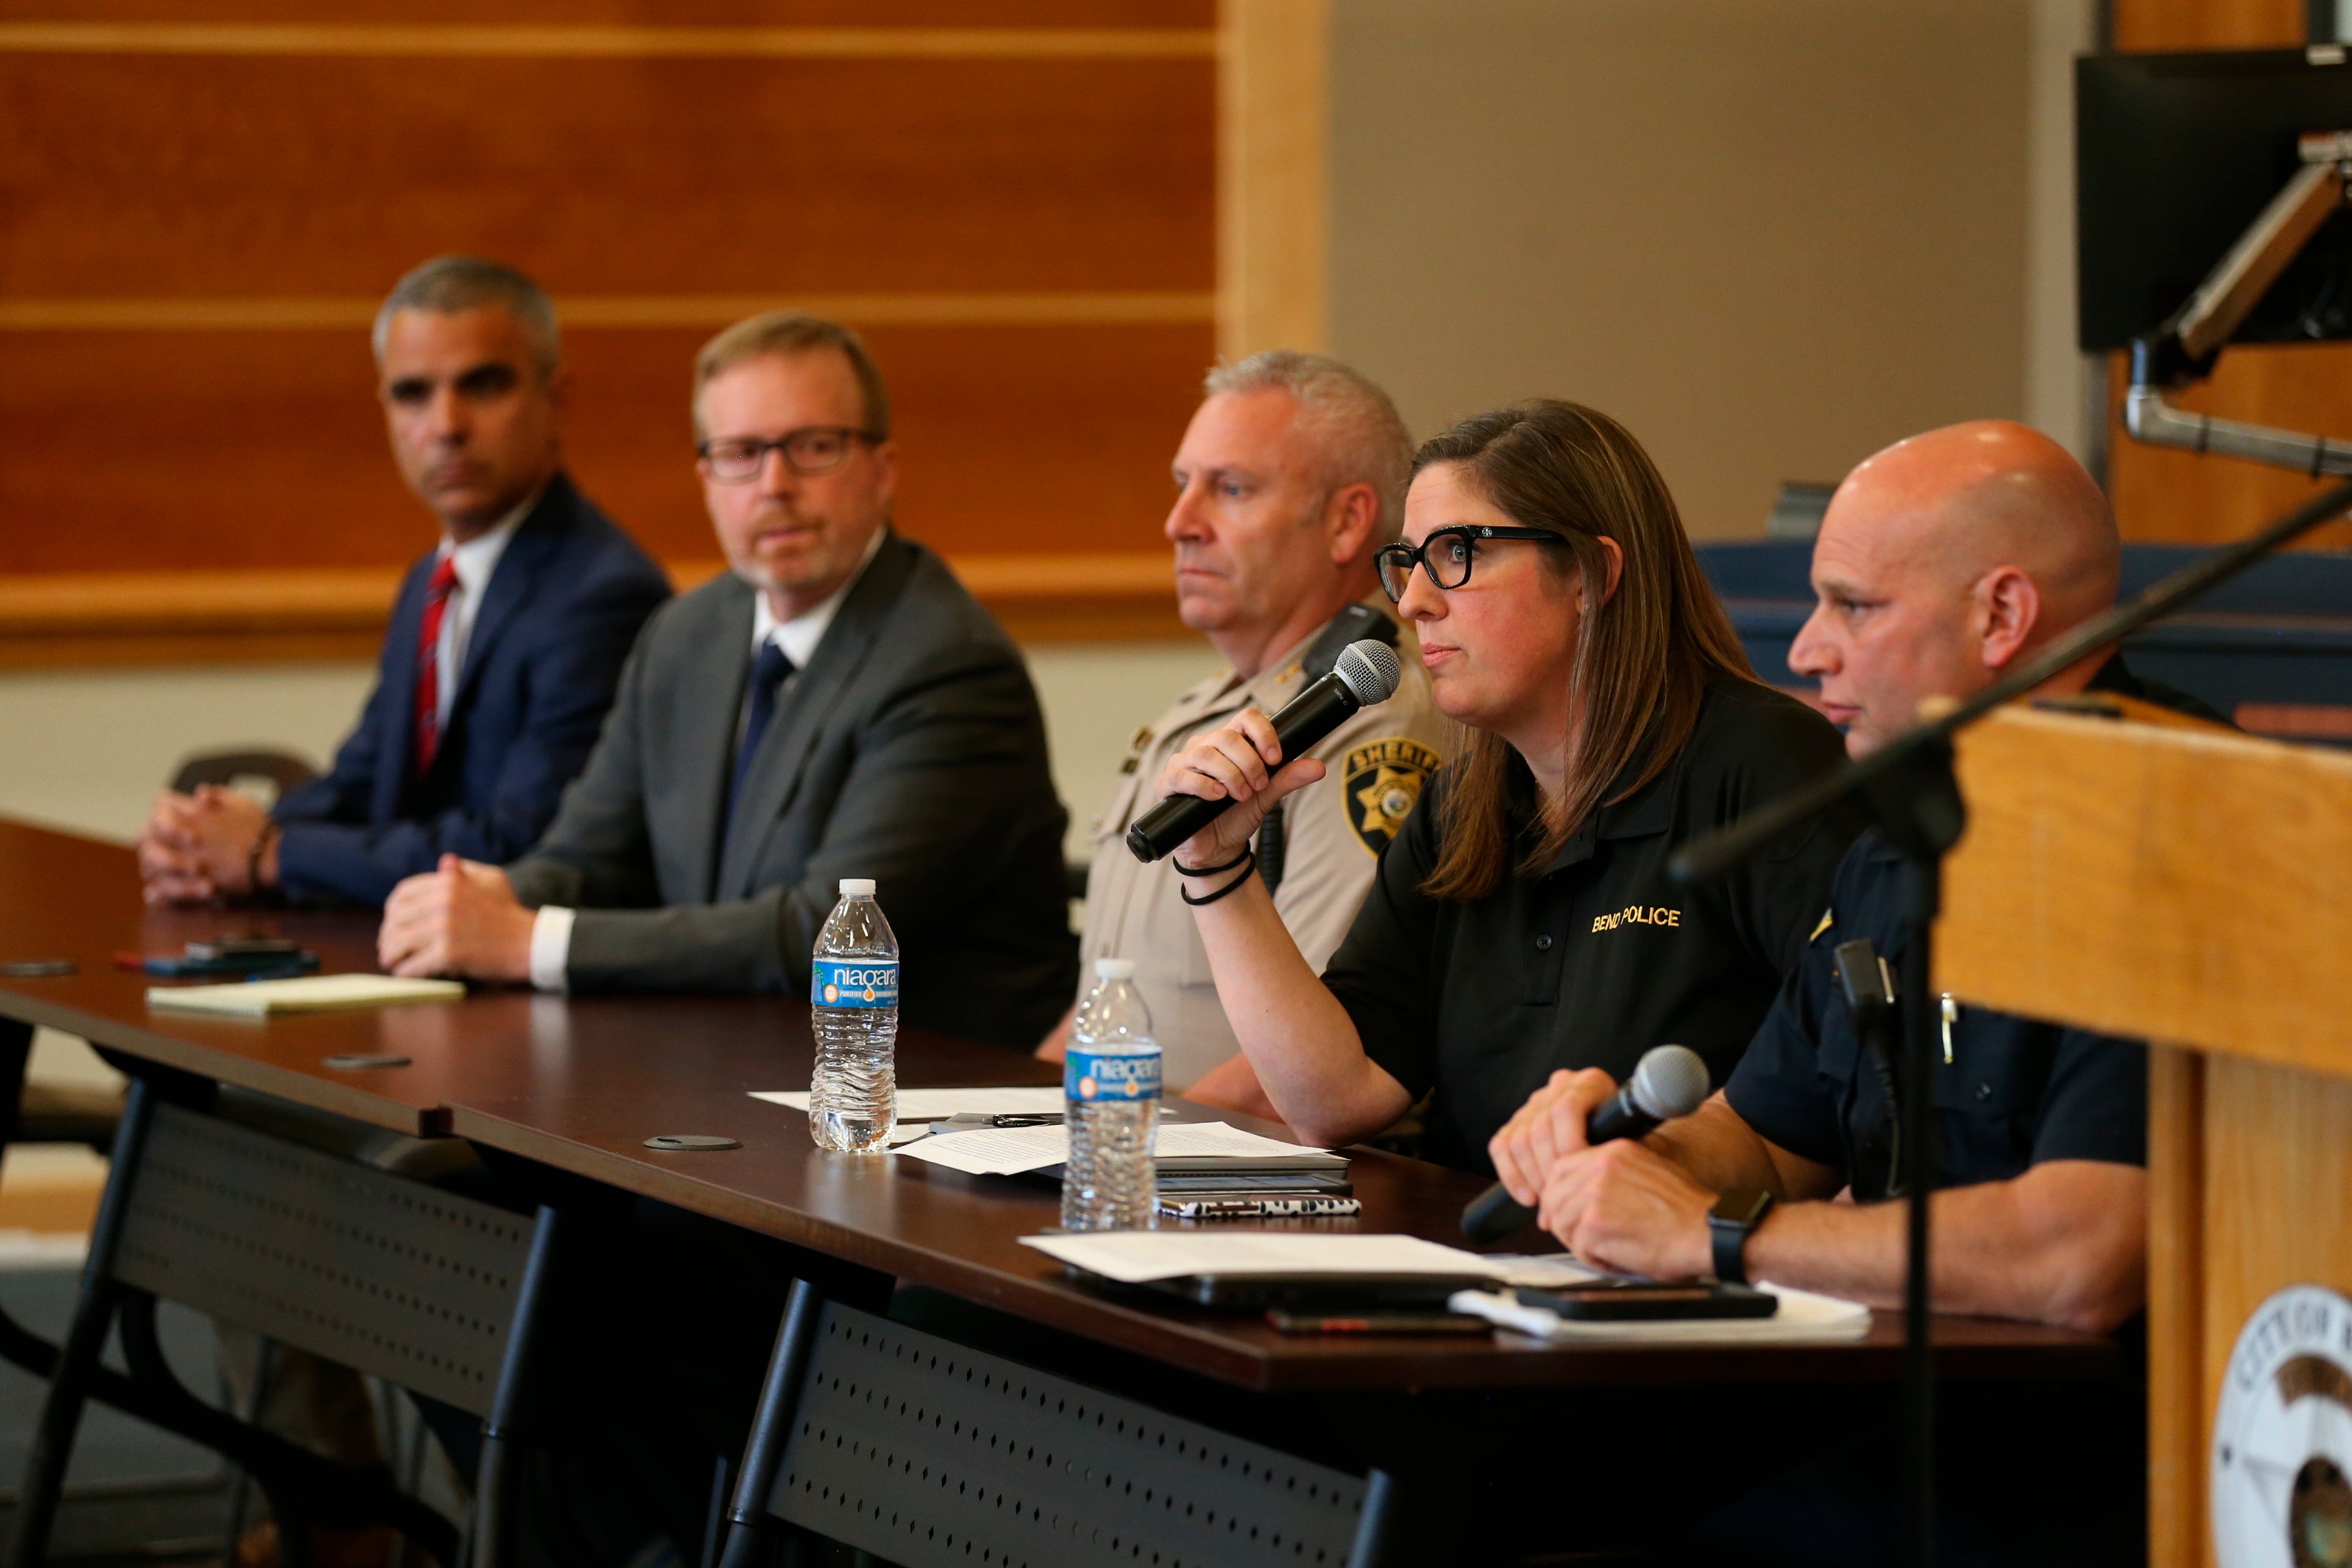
<point x="1765" y="236"/>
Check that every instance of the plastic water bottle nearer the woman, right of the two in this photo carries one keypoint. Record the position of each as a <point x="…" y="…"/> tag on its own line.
<point x="1111" y="1094"/>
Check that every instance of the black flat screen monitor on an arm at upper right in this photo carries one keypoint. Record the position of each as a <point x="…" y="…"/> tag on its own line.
<point x="2174" y="156"/>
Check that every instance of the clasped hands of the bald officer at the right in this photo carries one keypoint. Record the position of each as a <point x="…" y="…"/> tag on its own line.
<point x="1615" y="1205"/>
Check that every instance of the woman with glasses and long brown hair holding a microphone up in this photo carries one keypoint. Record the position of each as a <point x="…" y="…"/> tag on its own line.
<point x="1525" y="923"/>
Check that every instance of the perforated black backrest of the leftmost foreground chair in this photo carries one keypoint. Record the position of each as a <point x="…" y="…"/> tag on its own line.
<point x="359" y="1266"/>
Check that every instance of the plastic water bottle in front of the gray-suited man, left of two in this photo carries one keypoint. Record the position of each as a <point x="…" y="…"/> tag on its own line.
<point x="855" y="1007"/>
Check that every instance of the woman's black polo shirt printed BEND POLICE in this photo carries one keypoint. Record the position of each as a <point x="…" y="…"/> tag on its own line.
<point x="1603" y="956"/>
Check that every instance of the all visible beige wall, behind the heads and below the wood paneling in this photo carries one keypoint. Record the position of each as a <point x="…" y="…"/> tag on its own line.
<point x="1770" y="236"/>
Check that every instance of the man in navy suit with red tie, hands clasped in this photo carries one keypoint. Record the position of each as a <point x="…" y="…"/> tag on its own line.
<point x="505" y="648"/>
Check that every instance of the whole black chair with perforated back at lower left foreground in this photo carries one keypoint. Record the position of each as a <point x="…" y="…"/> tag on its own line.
<point x="312" y="1252"/>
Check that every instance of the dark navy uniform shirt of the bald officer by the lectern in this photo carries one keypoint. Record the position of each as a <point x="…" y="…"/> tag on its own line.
<point x="2010" y="1094"/>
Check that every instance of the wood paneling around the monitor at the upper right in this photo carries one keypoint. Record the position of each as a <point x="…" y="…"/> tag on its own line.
<point x="2196" y="500"/>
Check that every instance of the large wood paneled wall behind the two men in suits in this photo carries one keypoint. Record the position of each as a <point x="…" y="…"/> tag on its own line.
<point x="1017" y="201"/>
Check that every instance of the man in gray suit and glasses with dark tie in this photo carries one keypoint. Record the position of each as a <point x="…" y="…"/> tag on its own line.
<point x="838" y="706"/>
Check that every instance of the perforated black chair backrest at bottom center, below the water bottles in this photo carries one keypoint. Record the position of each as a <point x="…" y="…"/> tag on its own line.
<point x="930" y="1454"/>
